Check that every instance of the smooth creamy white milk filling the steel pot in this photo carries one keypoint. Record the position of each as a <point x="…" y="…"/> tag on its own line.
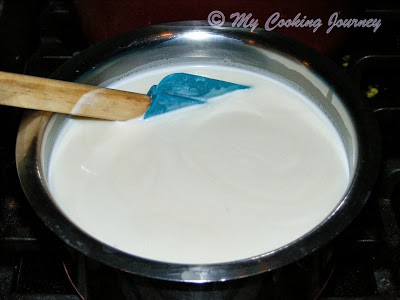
<point x="245" y="174"/>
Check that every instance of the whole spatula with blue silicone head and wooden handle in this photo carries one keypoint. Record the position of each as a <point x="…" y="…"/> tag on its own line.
<point x="174" y="91"/>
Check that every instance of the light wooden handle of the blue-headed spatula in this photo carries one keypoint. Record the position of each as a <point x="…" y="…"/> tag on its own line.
<point x="70" y="98"/>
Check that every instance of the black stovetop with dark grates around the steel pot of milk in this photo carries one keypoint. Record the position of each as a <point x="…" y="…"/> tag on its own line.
<point x="35" y="264"/>
